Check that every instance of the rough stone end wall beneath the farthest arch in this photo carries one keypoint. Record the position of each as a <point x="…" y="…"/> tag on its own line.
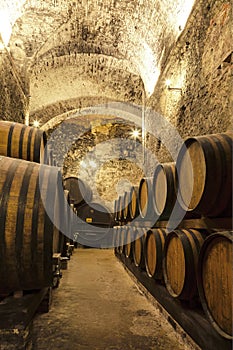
<point x="100" y="151"/>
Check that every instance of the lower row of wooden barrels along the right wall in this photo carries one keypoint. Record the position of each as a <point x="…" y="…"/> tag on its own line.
<point x="191" y="263"/>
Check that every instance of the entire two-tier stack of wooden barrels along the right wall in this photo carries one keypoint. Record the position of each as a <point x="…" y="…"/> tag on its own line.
<point x="180" y="227"/>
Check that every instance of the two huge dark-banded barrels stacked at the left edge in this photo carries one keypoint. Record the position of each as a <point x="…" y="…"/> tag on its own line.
<point x="30" y="206"/>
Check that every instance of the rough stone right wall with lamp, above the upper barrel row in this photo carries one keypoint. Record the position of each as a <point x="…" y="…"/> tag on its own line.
<point x="201" y="65"/>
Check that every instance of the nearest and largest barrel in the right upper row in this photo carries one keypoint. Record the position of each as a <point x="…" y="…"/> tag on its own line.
<point x="204" y="166"/>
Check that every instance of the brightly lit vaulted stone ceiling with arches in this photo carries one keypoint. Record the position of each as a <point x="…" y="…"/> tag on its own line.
<point x="91" y="48"/>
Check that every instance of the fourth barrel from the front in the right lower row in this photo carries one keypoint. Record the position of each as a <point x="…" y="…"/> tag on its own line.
<point x="138" y="247"/>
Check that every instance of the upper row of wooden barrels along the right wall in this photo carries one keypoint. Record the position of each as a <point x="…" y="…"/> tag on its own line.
<point x="198" y="184"/>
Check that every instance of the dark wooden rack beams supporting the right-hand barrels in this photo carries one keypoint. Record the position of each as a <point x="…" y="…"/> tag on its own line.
<point x="184" y="315"/>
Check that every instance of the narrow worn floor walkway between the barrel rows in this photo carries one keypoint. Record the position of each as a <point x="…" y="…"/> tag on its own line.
<point x="99" y="307"/>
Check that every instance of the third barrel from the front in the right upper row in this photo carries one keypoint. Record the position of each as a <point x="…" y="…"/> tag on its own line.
<point x="146" y="199"/>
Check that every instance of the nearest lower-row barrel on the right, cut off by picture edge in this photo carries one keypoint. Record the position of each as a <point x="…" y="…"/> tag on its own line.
<point x="215" y="281"/>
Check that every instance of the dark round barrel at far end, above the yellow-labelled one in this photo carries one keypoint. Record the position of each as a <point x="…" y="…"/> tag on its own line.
<point x="79" y="191"/>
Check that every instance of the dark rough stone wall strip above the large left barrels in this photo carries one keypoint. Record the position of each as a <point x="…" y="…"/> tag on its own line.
<point x="13" y="102"/>
